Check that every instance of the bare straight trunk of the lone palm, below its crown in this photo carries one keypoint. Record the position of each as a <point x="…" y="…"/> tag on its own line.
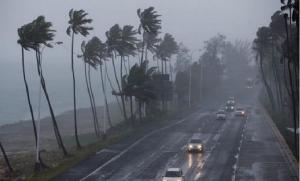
<point x="74" y="94"/>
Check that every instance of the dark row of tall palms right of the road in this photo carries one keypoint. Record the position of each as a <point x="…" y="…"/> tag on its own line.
<point x="277" y="51"/>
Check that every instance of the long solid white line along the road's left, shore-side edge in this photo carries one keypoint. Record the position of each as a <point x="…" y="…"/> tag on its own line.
<point x="133" y="145"/>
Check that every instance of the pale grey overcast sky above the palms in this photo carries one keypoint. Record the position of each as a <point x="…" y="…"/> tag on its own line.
<point x="190" y="21"/>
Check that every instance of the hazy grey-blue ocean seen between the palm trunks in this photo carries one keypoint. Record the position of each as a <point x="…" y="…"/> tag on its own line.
<point x="13" y="101"/>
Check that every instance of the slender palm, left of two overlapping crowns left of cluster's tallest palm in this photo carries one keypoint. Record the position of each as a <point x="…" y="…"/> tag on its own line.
<point x="113" y="42"/>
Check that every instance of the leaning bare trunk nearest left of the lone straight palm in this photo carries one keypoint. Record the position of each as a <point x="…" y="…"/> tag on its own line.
<point x="55" y="126"/>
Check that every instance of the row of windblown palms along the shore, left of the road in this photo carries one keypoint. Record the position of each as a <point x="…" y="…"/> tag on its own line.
<point x="122" y="44"/>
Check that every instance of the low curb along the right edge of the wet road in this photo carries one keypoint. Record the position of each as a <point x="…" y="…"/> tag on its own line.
<point x="287" y="153"/>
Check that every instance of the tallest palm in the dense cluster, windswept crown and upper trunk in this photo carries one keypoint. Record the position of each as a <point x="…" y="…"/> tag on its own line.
<point x="150" y="24"/>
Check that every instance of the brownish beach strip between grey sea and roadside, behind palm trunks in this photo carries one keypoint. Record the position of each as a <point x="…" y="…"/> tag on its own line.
<point x="19" y="136"/>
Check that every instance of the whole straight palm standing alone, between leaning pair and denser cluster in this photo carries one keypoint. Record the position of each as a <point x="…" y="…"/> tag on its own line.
<point x="77" y="24"/>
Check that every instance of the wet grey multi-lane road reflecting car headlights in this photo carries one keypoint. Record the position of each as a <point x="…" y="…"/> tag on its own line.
<point x="235" y="149"/>
